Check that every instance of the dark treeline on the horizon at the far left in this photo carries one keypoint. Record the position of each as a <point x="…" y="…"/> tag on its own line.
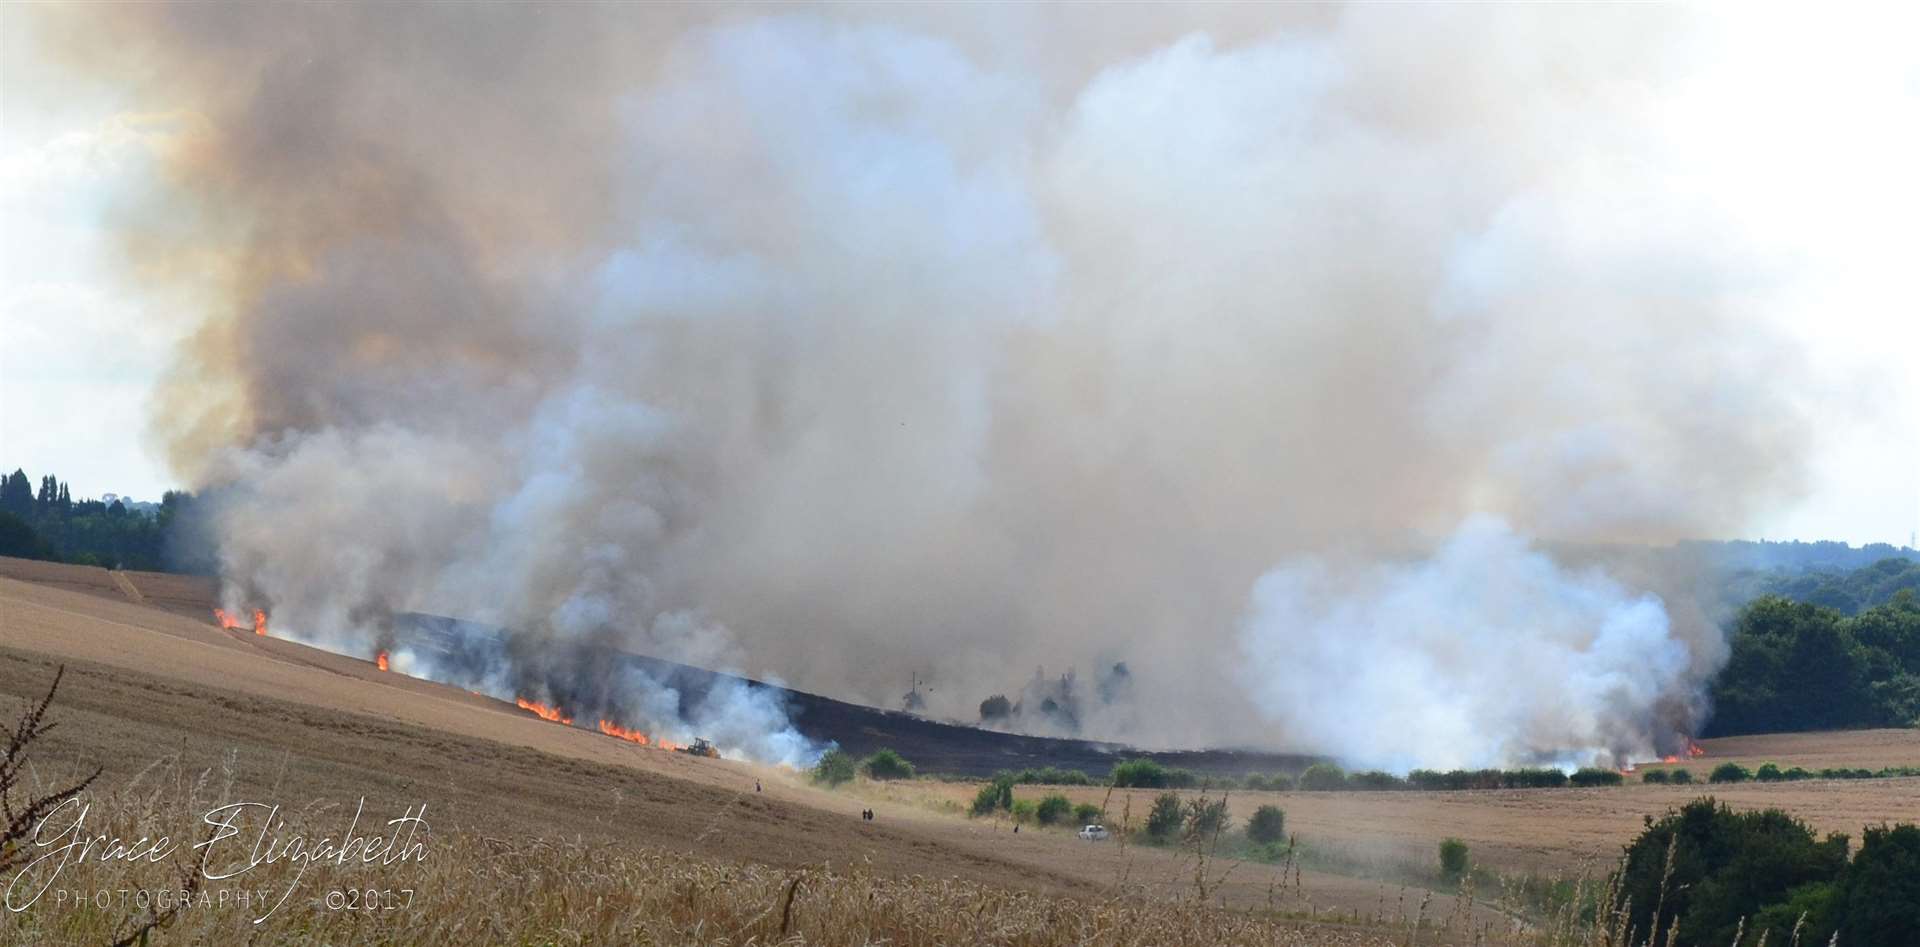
<point x="47" y="523"/>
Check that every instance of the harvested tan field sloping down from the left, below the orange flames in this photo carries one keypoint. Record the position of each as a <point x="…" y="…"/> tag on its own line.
<point x="181" y="714"/>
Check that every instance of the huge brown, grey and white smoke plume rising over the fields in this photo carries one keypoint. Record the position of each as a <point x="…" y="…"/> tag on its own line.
<point x="1266" y="351"/>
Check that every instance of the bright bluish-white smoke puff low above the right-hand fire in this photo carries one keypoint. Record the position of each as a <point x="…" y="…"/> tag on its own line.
<point x="1485" y="654"/>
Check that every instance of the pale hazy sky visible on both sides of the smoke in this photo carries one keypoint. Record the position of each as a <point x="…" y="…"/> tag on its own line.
<point x="1800" y="103"/>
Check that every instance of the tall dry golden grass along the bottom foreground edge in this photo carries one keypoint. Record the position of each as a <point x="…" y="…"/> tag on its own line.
<point x="473" y="888"/>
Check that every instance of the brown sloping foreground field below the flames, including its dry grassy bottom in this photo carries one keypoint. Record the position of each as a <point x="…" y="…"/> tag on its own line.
<point x="181" y="716"/>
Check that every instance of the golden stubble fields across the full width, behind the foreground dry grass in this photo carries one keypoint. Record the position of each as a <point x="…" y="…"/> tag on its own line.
<point x="156" y="694"/>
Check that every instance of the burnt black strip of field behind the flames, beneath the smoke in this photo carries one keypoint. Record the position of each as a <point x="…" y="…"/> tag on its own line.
<point x="590" y="679"/>
